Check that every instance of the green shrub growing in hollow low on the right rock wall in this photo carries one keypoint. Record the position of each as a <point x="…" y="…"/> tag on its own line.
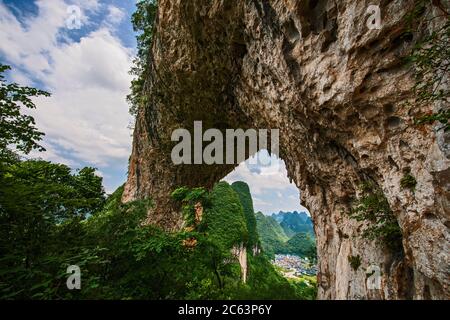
<point x="373" y="207"/>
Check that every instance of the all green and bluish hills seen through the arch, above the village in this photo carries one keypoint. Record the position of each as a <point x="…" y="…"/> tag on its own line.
<point x="281" y="233"/>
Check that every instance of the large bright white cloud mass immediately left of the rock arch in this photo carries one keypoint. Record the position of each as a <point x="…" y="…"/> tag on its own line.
<point x="87" y="112"/>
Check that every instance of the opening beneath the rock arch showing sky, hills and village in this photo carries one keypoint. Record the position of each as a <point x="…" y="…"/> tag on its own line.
<point x="284" y="225"/>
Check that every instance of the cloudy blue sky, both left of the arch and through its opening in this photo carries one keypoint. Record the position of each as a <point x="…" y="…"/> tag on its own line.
<point x="81" y="52"/>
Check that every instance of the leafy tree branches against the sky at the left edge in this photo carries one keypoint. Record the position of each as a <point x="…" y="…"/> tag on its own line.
<point x="17" y="129"/>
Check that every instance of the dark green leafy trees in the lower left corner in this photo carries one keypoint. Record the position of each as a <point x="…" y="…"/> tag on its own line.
<point x="42" y="206"/>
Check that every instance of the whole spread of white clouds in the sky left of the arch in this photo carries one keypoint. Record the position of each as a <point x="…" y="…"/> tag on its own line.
<point x="86" y="118"/>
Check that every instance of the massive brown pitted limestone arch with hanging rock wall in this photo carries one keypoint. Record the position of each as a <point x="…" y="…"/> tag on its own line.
<point x="336" y="90"/>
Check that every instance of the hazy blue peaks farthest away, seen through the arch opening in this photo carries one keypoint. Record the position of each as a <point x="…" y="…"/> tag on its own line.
<point x="294" y="222"/>
